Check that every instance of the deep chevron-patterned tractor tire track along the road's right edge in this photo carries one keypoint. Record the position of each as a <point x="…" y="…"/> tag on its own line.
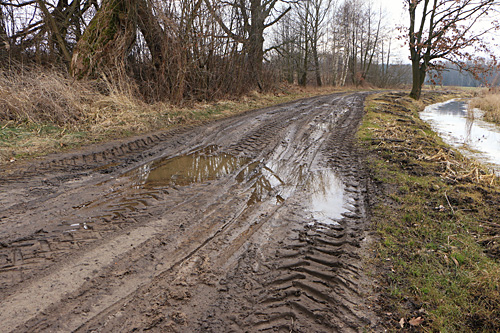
<point x="313" y="280"/>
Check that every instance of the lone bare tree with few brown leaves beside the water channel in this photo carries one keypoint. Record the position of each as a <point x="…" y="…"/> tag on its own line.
<point x="445" y="29"/>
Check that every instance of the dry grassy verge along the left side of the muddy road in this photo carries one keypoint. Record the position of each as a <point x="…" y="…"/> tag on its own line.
<point x="44" y="111"/>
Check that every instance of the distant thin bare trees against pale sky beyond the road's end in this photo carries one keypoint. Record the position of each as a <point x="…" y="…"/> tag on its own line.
<point x="336" y="43"/>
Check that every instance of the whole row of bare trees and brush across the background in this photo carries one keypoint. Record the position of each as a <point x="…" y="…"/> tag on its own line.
<point x="208" y="49"/>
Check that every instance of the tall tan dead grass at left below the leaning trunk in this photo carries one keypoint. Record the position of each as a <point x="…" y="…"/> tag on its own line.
<point x="33" y="96"/>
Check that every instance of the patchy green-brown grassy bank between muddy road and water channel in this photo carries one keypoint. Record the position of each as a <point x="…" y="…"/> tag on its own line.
<point x="436" y="214"/>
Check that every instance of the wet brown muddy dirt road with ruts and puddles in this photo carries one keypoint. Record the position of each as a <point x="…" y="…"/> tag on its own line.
<point x="255" y="222"/>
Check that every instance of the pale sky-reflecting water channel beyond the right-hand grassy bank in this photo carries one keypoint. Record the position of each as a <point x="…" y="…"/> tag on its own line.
<point x="478" y="139"/>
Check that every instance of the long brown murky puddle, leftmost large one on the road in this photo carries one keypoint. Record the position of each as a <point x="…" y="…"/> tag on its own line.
<point x="197" y="167"/>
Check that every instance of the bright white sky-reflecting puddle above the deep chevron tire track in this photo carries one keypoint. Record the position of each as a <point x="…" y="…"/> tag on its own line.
<point x="328" y="200"/>
